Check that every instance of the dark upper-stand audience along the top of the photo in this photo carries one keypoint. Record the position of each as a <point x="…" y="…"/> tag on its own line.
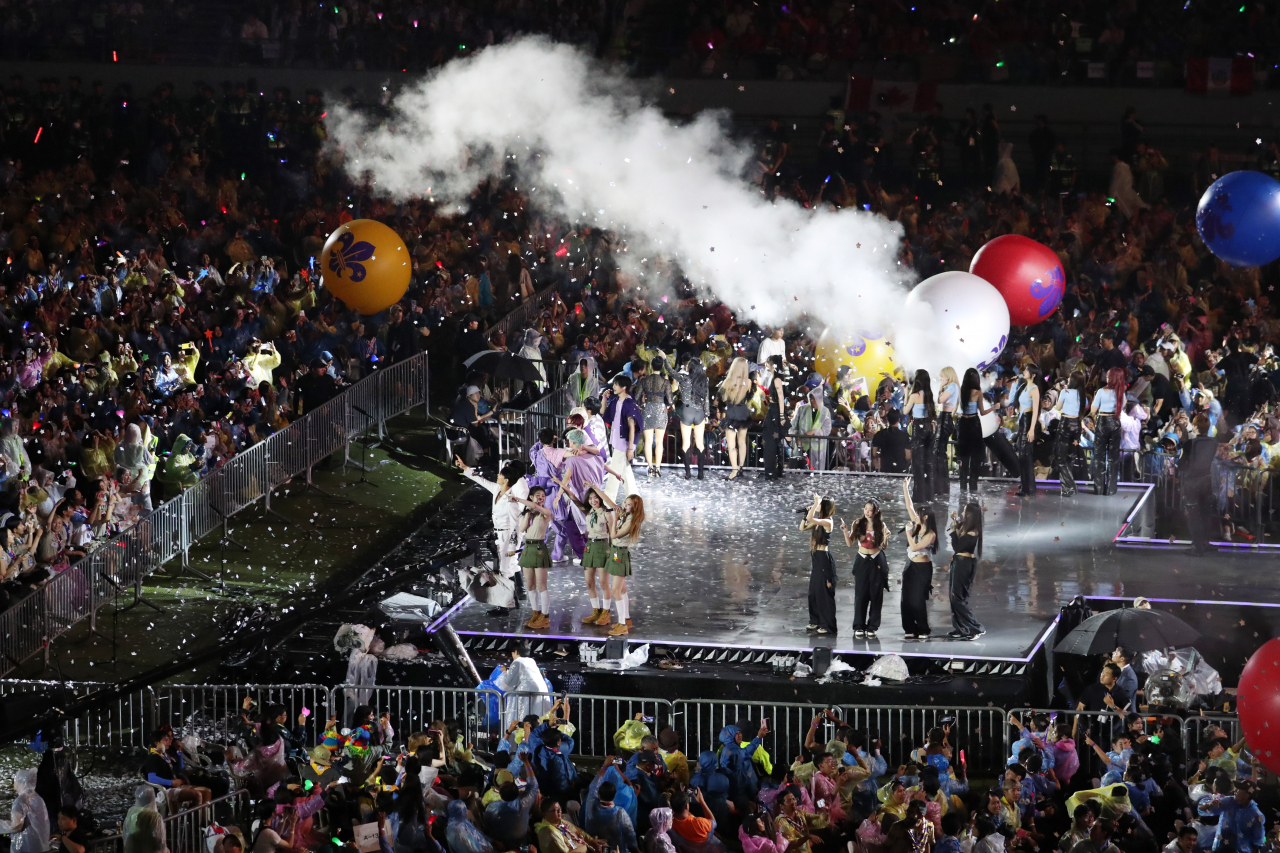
<point x="1052" y="43"/>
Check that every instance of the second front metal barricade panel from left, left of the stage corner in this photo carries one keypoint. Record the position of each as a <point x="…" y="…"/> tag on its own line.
<point x="213" y="711"/>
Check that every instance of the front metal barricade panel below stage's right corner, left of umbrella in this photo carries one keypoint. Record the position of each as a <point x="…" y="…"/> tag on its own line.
<point x="982" y="733"/>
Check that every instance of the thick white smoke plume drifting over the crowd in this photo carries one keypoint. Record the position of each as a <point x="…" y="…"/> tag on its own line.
<point x="607" y="159"/>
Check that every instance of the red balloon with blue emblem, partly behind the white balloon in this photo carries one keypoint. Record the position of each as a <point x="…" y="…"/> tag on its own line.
<point x="1027" y="275"/>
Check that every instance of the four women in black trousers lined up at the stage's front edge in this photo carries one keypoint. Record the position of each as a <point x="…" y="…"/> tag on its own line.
<point x="870" y="536"/>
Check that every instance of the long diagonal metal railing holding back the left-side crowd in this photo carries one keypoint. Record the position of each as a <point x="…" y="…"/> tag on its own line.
<point x="126" y="560"/>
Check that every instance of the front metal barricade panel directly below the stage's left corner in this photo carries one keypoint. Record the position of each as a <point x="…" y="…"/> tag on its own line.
<point x="476" y="714"/>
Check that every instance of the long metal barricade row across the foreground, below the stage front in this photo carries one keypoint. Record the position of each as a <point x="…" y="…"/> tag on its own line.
<point x="212" y="713"/>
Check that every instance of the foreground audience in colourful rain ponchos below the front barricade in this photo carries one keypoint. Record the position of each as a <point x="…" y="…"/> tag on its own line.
<point x="1109" y="781"/>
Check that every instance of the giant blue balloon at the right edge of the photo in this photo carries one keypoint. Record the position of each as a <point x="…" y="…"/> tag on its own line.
<point x="1240" y="218"/>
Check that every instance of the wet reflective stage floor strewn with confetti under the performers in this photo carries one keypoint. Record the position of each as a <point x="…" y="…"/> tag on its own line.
<point x="725" y="564"/>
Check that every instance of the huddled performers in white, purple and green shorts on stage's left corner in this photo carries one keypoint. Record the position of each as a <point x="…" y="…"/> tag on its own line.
<point x="570" y="492"/>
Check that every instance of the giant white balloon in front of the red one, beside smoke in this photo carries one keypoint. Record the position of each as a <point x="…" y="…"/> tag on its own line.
<point x="970" y="320"/>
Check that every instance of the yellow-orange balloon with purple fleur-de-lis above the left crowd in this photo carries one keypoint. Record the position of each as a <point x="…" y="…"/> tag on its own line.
<point x="367" y="266"/>
